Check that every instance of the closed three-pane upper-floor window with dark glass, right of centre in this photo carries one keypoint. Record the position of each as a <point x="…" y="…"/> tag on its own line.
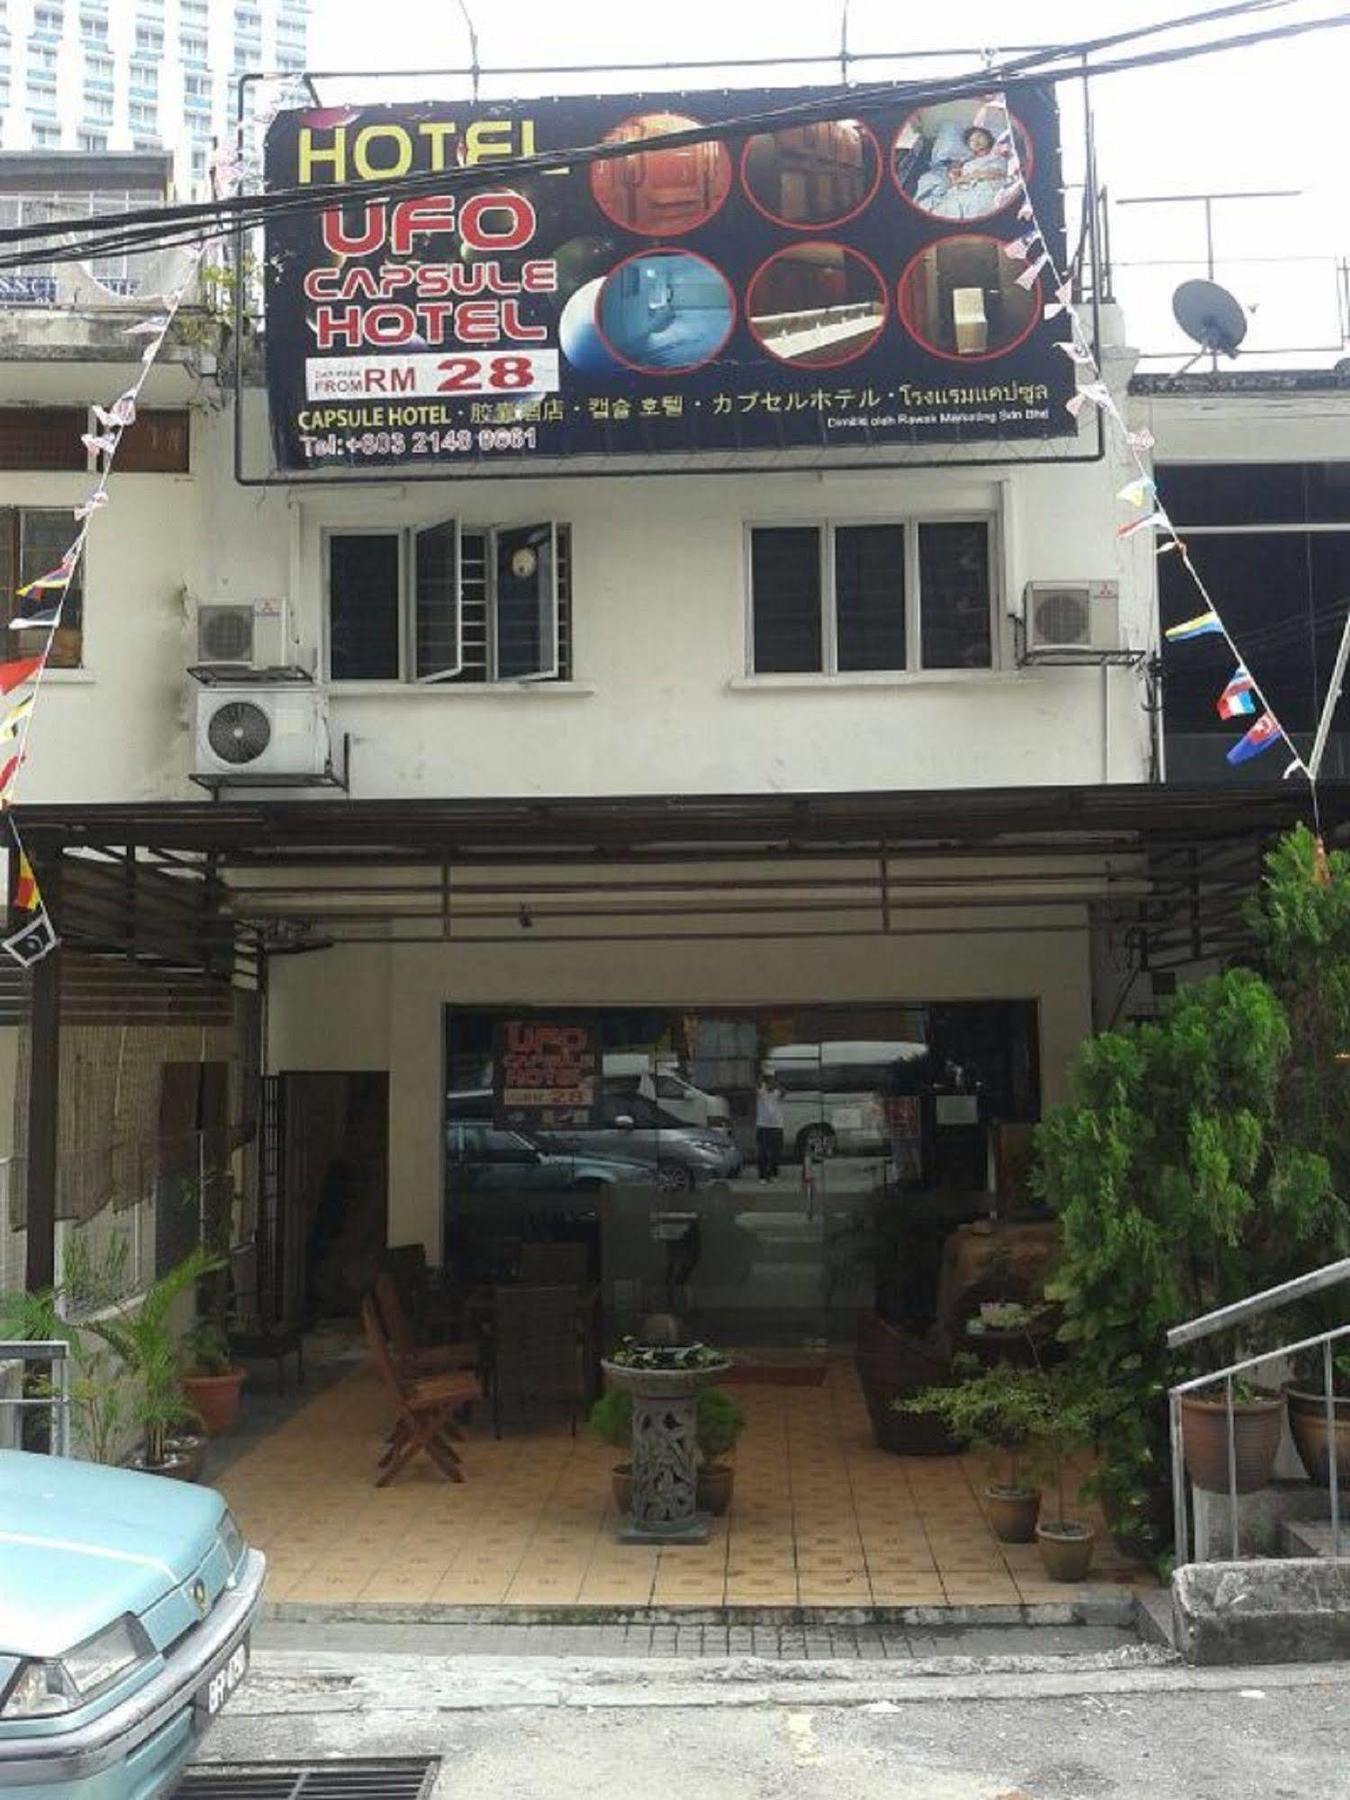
<point x="856" y="598"/>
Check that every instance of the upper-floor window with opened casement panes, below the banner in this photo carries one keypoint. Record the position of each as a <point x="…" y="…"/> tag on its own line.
<point x="451" y="604"/>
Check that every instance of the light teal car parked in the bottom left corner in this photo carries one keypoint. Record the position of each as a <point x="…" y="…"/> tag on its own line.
<point x="125" y="1614"/>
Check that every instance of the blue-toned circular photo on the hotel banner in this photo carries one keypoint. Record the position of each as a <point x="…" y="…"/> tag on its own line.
<point x="665" y="310"/>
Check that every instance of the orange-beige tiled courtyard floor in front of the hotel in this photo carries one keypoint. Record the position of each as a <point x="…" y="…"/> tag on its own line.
<point x="820" y="1518"/>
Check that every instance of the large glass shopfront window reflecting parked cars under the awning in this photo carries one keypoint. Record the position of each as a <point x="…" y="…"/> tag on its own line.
<point x="760" y="1173"/>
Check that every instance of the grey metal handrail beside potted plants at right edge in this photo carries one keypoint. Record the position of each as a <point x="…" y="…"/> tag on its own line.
<point x="1243" y="1311"/>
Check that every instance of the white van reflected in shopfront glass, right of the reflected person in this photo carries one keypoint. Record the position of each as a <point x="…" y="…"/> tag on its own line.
<point x="834" y="1095"/>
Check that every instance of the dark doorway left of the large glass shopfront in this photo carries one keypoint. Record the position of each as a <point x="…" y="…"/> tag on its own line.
<point x="336" y="1189"/>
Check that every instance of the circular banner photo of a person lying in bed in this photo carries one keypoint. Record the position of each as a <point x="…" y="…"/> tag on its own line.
<point x="962" y="159"/>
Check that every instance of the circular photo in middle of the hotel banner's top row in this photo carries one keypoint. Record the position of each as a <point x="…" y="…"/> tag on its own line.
<point x="814" y="175"/>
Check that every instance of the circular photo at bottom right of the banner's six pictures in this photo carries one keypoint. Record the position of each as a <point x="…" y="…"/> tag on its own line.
<point x="967" y="300"/>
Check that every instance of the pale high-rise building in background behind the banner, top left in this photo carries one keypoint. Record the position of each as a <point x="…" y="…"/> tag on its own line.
<point x="138" y="75"/>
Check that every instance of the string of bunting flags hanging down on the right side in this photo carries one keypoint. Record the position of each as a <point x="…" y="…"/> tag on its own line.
<point x="1243" y="696"/>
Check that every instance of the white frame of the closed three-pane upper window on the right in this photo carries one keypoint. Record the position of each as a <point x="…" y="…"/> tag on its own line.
<point x="910" y="523"/>
